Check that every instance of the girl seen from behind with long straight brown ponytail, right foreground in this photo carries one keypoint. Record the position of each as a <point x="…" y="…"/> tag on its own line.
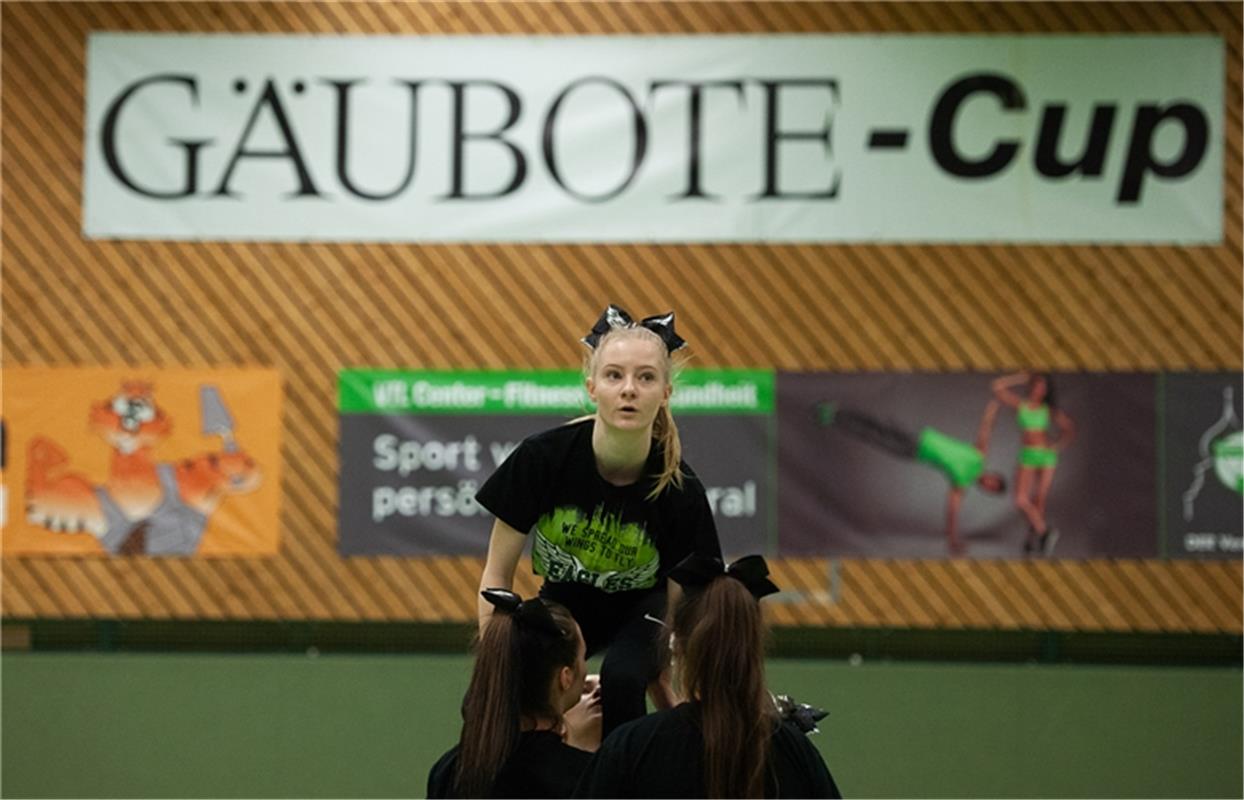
<point x="727" y="741"/>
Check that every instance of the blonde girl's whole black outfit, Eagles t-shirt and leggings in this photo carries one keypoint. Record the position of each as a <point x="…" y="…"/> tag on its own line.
<point x="604" y="551"/>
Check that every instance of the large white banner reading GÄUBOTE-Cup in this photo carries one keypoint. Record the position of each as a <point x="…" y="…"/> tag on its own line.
<point x="655" y="139"/>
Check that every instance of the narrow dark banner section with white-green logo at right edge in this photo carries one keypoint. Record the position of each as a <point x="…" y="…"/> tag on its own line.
<point x="1202" y="473"/>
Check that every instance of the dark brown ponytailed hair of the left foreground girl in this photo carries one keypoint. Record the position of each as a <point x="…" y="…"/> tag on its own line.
<point x="514" y="670"/>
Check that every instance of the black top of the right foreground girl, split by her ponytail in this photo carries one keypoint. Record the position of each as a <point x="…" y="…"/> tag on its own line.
<point x="662" y="756"/>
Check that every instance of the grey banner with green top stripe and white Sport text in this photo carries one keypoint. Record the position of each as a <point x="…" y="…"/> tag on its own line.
<point x="415" y="449"/>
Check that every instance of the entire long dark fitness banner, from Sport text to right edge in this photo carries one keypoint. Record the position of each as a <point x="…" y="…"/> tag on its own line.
<point x="865" y="465"/>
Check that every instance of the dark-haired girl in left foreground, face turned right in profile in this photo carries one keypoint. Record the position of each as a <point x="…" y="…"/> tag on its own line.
<point x="528" y="730"/>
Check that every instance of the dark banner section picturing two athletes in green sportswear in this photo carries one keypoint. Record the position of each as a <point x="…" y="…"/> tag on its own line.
<point x="880" y="483"/>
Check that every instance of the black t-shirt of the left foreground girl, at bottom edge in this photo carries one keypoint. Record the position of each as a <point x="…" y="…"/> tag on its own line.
<point x="542" y="766"/>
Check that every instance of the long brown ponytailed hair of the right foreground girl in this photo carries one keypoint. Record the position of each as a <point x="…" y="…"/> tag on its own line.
<point x="720" y="639"/>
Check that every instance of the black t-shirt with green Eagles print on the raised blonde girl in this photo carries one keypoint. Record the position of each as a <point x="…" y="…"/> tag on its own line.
<point x="593" y="538"/>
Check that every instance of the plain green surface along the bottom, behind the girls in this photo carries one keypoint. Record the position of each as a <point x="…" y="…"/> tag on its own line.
<point x="348" y="726"/>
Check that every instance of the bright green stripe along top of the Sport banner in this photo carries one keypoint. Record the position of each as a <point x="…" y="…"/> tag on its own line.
<point x="537" y="393"/>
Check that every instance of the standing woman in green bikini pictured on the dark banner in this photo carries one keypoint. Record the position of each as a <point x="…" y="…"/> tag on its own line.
<point x="1036" y="410"/>
